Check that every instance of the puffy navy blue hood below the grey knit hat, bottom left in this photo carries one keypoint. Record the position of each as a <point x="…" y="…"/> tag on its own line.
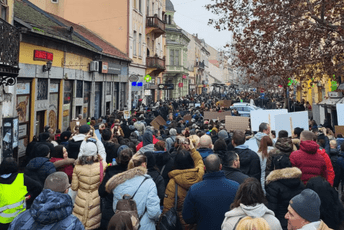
<point x="51" y="207"/>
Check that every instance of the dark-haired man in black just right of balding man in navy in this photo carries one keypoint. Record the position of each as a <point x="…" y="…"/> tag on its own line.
<point x="231" y="167"/>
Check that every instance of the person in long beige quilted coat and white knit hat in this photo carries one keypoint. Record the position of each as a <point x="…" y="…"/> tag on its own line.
<point x="87" y="176"/>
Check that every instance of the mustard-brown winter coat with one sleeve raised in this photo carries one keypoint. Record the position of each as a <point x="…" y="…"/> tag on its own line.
<point x="184" y="179"/>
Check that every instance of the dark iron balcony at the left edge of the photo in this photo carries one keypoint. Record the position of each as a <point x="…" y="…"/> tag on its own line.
<point x="9" y="55"/>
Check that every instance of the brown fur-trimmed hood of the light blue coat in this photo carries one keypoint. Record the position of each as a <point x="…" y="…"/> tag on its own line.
<point x="123" y="177"/>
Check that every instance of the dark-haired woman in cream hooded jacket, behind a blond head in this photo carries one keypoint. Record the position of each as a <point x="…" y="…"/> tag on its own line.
<point x="249" y="201"/>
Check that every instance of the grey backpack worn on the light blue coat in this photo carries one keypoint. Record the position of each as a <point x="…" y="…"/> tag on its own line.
<point x="127" y="204"/>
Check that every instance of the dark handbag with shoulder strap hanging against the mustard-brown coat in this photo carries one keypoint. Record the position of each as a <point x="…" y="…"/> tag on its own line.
<point x="170" y="220"/>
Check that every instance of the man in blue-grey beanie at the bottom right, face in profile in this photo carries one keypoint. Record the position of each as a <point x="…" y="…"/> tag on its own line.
<point x="304" y="211"/>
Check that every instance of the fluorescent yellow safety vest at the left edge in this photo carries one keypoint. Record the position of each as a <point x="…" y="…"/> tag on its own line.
<point x="12" y="199"/>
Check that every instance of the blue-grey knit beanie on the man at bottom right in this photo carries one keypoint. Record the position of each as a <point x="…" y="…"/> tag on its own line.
<point x="307" y="205"/>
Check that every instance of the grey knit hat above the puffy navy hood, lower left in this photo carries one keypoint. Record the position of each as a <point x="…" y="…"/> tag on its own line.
<point x="57" y="182"/>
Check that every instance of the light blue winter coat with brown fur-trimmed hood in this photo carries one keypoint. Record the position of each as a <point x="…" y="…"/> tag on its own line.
<point x="146" y="197"/>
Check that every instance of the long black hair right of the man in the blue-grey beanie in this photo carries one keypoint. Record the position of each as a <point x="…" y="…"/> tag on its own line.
<point x="331" y="209"/>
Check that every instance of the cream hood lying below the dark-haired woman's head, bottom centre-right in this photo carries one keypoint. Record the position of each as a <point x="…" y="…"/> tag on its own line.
<point x="256" y="211"/>
